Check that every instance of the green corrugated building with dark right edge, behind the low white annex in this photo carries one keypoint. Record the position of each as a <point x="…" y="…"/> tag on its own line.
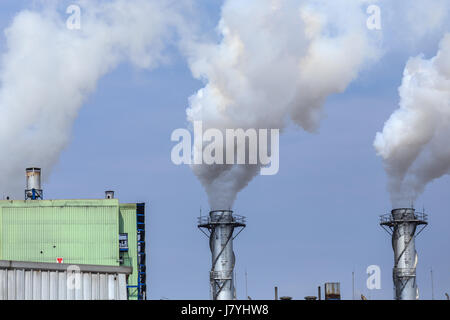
<point x="96" y="232"/>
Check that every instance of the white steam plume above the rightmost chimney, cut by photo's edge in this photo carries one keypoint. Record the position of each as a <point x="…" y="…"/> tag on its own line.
<point x="414" y="142"/>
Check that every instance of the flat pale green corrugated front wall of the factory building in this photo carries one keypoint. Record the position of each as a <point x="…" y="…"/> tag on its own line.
<point x="78" y="231"/>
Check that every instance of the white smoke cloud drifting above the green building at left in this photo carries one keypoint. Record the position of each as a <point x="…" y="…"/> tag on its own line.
<point x="48" y="71"/>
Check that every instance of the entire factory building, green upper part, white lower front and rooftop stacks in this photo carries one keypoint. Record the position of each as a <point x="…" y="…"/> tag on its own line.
<point x="99" y="238"/>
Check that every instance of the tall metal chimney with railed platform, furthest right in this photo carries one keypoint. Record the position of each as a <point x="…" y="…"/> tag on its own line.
<point x="402" y="224"/>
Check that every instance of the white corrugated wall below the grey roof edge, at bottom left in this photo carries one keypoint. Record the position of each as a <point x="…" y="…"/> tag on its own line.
<point x="23" y="284"/>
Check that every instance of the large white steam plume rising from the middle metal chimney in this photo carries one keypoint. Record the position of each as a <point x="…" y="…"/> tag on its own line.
<point x="276" y="60"/>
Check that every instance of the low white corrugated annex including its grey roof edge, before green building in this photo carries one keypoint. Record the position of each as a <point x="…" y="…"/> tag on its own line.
<point x="60" y="281"/>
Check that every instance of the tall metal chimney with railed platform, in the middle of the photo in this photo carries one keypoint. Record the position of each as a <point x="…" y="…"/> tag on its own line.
<point x="219" y="226"/>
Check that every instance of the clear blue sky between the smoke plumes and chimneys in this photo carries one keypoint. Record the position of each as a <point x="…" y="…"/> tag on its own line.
<point x="315" y="221"/>
